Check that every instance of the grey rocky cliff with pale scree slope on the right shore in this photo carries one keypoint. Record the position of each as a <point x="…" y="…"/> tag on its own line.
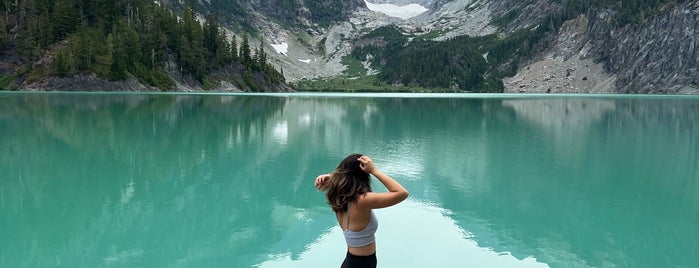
<point x="656" y="56"/>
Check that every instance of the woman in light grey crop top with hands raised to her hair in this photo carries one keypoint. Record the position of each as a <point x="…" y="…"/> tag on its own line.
<point x="348" y="192"/>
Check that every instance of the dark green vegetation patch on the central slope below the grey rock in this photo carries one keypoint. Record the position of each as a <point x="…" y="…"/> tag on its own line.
<point x="462" y="63"/>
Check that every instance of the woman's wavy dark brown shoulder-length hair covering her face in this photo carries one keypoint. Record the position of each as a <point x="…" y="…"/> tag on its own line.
<point x="347" y="182"/>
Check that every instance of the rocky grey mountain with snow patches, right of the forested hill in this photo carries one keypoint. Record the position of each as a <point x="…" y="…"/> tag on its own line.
<point x="545" y="45"/>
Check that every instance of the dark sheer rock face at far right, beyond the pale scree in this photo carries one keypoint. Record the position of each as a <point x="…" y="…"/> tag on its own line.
<point x="656" y="56"/>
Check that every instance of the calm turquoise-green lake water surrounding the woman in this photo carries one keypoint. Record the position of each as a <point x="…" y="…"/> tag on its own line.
<point x="127" y="180"/>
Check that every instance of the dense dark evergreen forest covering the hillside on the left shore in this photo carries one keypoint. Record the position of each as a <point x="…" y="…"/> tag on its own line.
<point x="130" y="38"/>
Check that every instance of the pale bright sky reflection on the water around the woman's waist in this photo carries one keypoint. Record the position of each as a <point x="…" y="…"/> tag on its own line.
<point x="408" y="239"/>
